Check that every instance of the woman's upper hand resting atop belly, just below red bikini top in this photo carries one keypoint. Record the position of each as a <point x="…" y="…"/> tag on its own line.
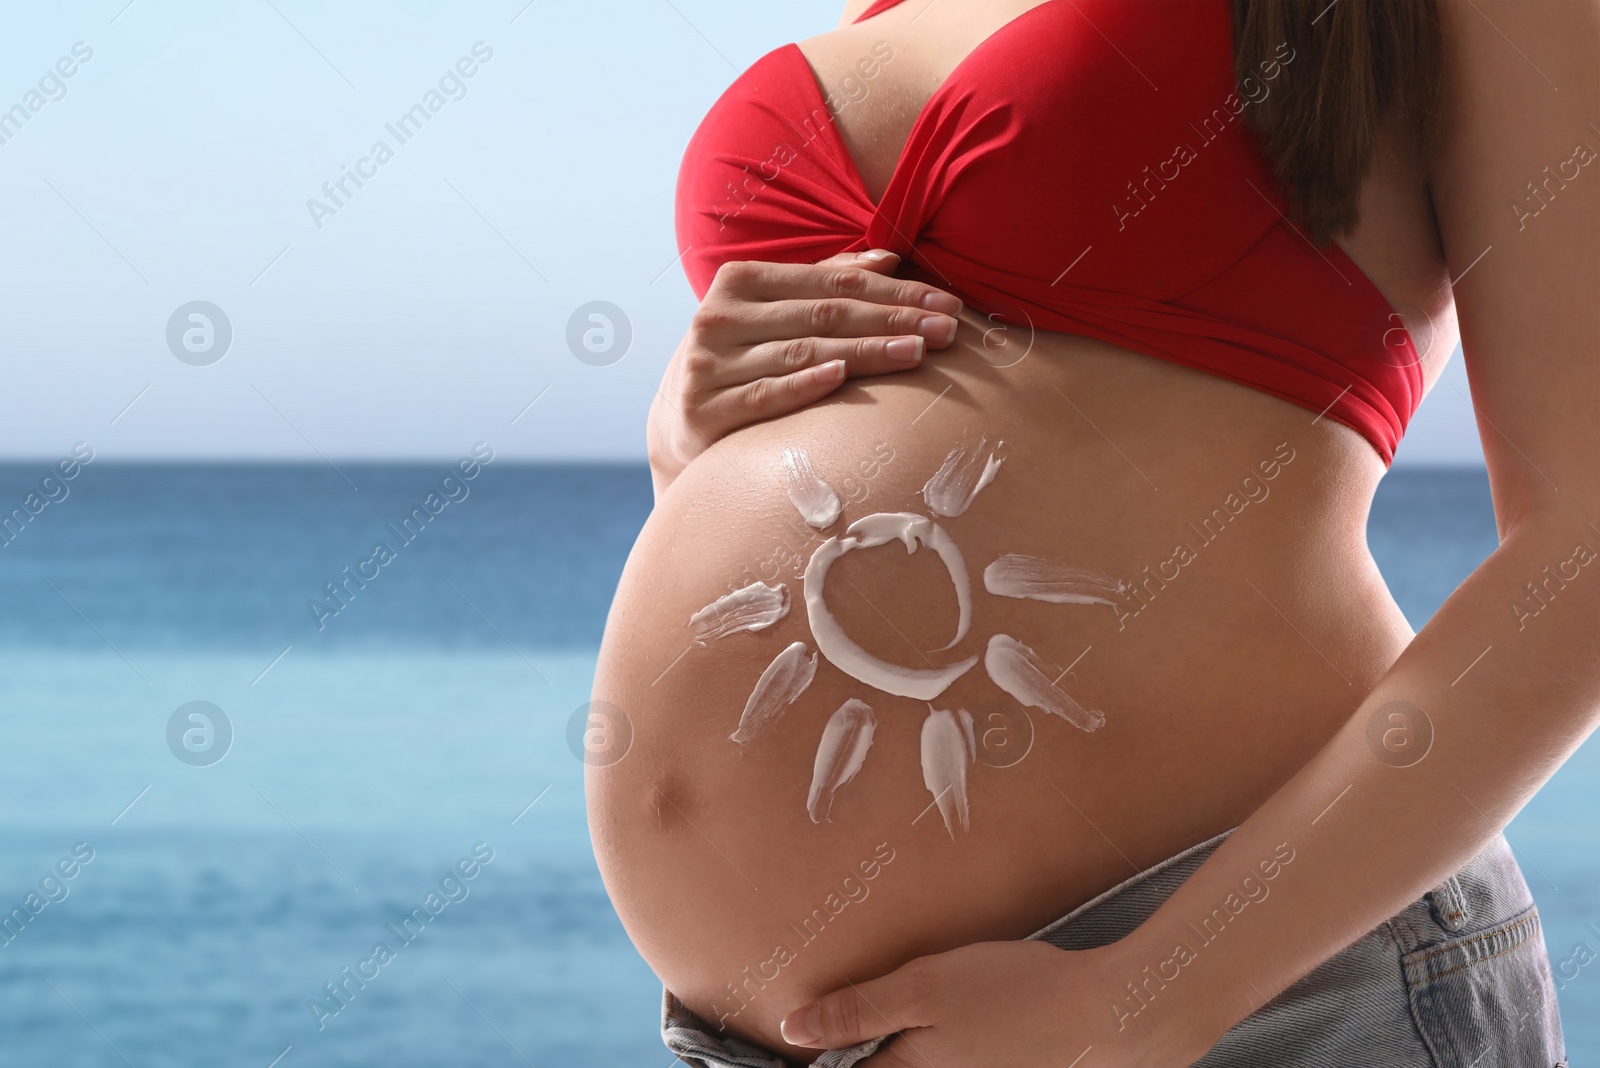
<point x="772" y="338"/>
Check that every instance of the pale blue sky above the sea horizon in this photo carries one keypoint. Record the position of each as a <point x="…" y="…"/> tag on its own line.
<point x="433" y="305"/>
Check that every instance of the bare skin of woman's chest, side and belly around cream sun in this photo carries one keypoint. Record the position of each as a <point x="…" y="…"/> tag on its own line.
<point x="1230" y="679"/>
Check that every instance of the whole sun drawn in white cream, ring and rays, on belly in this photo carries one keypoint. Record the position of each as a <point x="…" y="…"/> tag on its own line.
<point x="948" y="736"/>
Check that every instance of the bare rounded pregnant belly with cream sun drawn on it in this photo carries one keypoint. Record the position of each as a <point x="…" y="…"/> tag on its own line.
<point x="778" y="810"/>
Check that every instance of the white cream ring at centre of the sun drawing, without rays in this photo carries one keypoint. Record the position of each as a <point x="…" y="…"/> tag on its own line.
<point x="841" y="650"/>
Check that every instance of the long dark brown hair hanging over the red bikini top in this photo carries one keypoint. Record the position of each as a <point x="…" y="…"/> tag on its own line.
<point x="1356" y="65"/>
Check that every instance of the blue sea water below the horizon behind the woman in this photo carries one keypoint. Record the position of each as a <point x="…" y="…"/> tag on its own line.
<point x="415" y="720"/>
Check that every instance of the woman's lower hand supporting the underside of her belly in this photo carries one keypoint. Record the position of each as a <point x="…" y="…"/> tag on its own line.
<point x="1002" y="1003"/>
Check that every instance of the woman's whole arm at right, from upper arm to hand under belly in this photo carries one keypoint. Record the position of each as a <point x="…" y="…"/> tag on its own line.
<point x="1510" y="693"/>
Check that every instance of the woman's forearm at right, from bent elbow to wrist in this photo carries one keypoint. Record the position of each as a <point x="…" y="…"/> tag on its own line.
<point x="1510" y="696"/>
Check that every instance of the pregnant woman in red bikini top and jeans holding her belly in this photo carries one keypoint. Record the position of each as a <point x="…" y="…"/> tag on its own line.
<point x="1002" y="677"/>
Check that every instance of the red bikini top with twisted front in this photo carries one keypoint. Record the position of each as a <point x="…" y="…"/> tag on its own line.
<point x="1086" y="170"/>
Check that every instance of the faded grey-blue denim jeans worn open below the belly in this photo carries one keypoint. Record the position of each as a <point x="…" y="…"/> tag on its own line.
<point x="1458" y="979"/>
